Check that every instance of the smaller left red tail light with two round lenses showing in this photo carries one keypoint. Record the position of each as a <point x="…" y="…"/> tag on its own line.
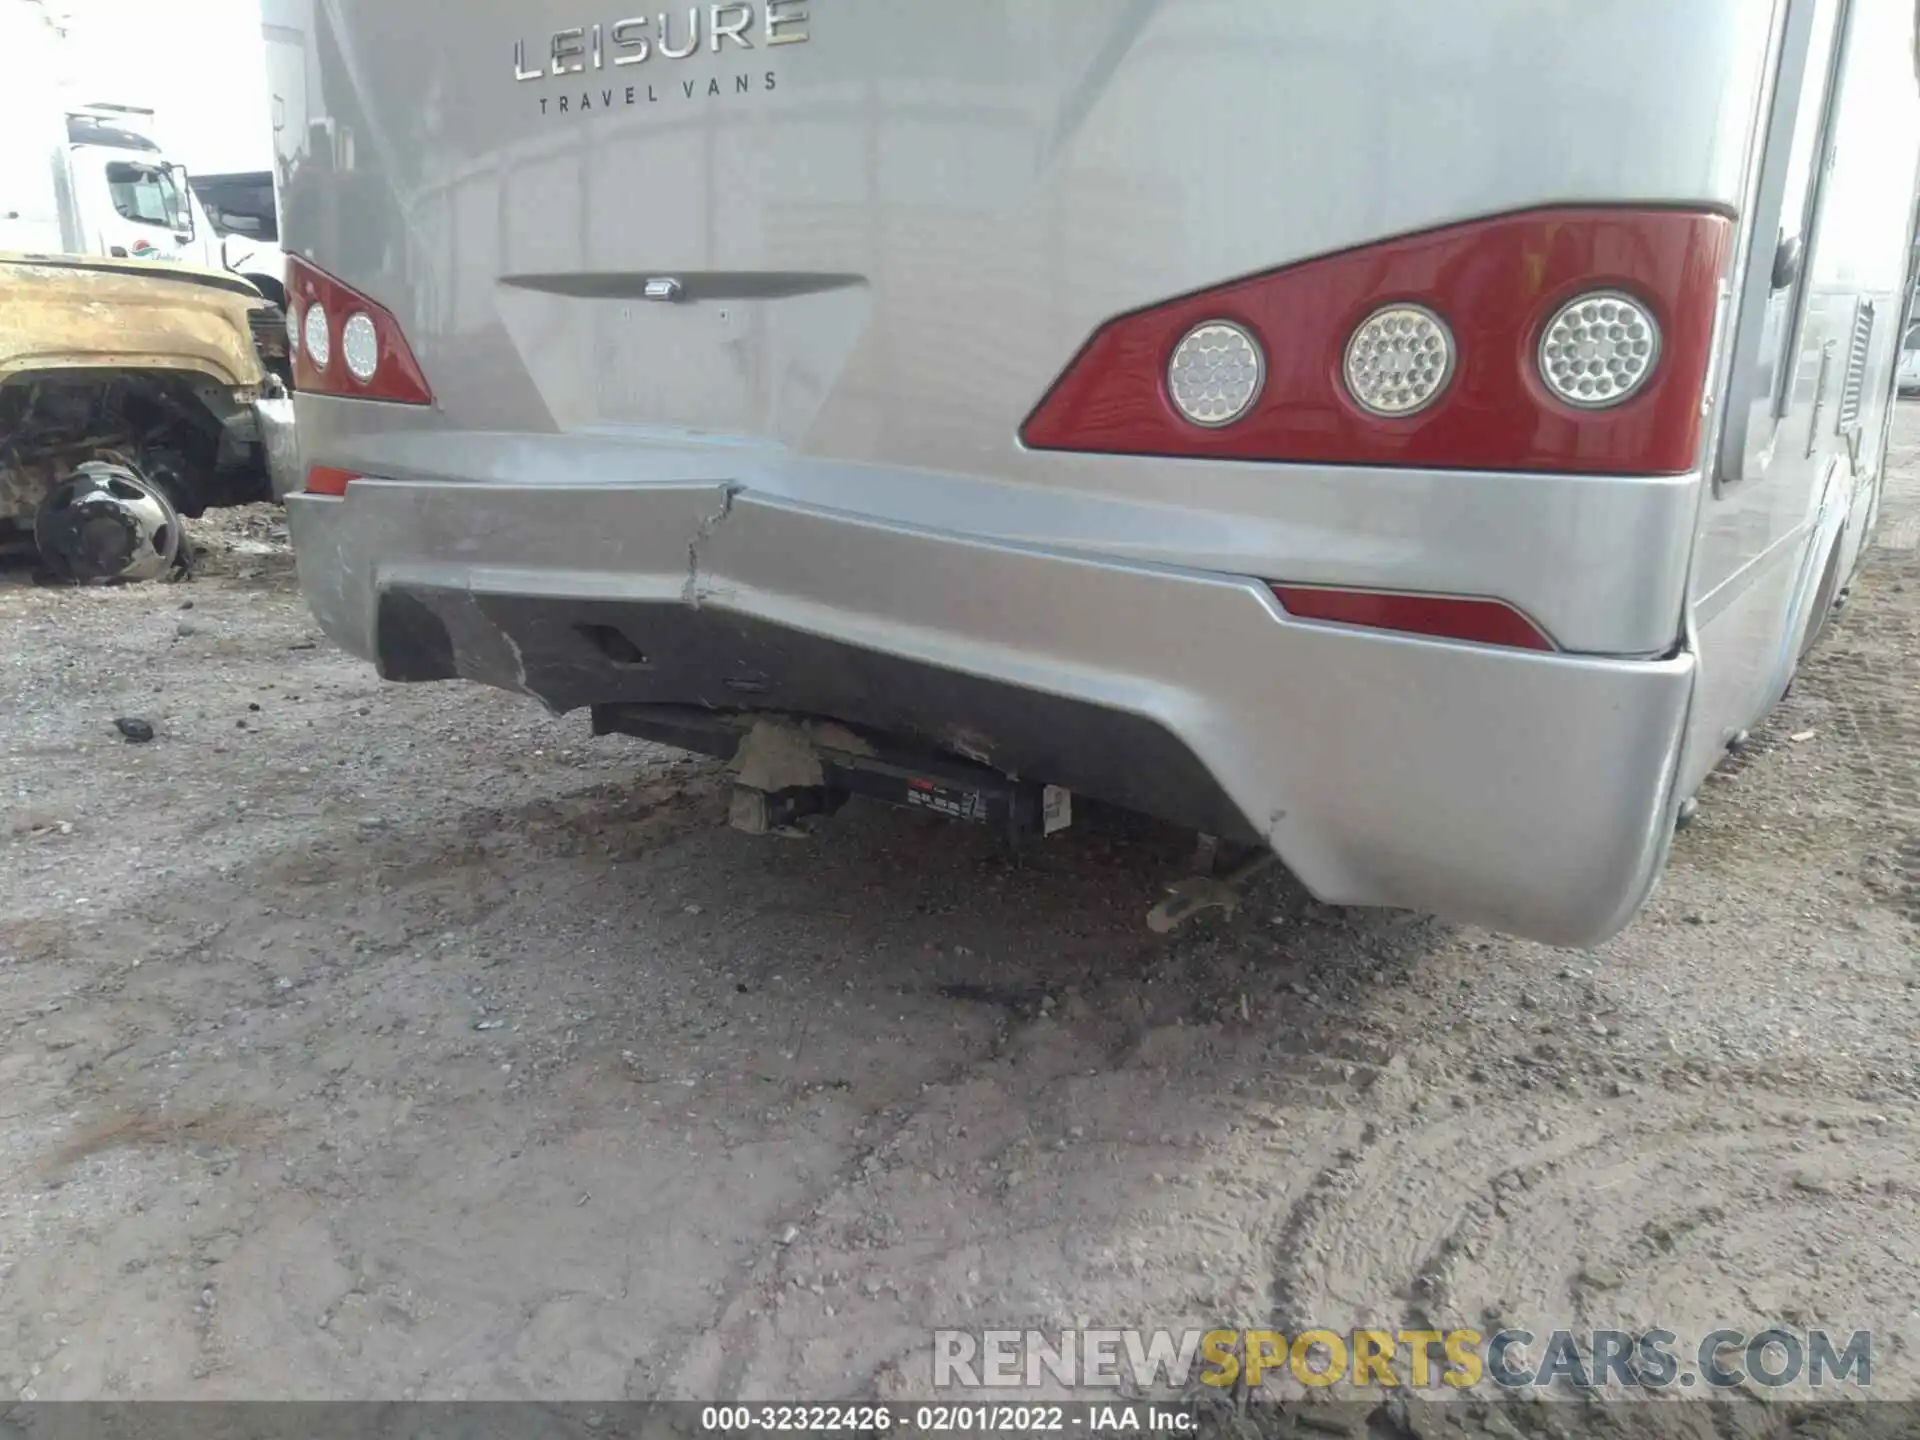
<point x="348" y="345"/>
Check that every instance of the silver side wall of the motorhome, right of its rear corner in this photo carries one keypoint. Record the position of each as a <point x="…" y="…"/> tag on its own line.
<point x="1785" y="517"/>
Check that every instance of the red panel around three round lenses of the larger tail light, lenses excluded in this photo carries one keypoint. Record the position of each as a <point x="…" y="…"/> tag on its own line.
<point x="1497" y="285"/>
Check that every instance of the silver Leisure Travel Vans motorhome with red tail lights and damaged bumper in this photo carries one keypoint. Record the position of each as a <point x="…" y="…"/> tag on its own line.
<point x="1410" y="435"/>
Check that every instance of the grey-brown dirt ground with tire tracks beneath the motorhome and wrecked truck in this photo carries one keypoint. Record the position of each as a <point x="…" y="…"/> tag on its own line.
<point x="400" y="1042"/>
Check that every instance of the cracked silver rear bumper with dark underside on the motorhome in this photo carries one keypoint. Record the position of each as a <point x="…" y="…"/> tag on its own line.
<point x="1524" y="792"/>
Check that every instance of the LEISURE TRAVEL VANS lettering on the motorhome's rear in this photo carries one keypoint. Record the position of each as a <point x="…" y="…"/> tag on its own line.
<point x="575" y="68"/>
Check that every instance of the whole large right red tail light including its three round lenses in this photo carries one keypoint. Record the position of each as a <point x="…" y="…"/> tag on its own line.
<point x="1564" y="341"/>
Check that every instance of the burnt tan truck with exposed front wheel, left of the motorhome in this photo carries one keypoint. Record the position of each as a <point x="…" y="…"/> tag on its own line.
<point x="130" y="396"/>
